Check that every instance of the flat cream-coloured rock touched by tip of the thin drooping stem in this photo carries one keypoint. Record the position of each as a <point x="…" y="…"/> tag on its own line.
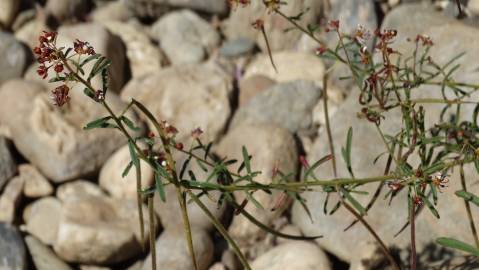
<point x="291" y="66"/>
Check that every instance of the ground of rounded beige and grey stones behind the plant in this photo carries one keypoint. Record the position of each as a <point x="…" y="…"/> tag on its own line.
<point x="63" y="202"/>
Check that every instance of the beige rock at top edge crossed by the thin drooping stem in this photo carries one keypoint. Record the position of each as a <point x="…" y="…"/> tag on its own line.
<point x="239" y="23"/>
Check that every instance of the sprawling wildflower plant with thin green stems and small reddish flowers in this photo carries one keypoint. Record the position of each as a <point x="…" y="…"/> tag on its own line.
<point x="385" y="84"/>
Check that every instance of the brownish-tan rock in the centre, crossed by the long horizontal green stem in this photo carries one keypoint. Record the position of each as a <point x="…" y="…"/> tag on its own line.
<point x="270" y="146"/>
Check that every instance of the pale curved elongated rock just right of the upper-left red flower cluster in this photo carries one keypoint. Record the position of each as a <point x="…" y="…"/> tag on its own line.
<point x="143" y="56"/>
